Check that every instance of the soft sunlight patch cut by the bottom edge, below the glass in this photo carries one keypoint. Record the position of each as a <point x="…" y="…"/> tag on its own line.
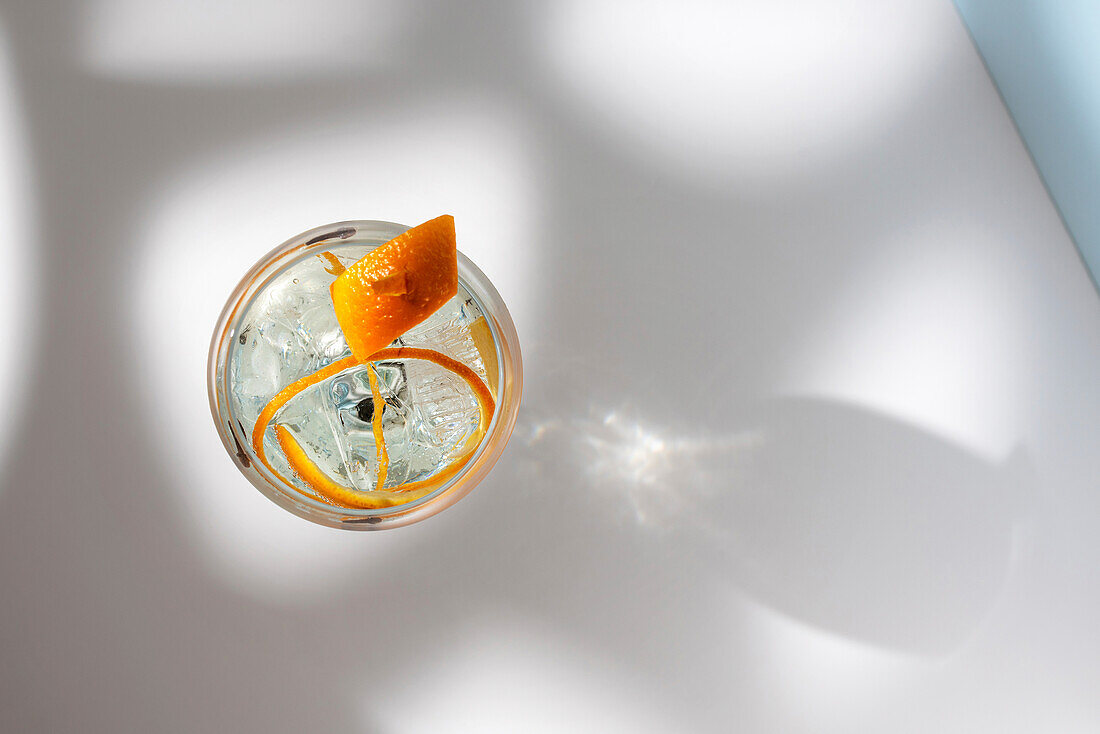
<point x="508" y="675"/>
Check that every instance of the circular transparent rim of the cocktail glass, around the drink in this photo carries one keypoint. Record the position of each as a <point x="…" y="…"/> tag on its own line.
<point x="236" y="439"/>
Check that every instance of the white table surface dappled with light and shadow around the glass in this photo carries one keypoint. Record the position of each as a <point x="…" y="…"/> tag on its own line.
<point x="811" y="433"/>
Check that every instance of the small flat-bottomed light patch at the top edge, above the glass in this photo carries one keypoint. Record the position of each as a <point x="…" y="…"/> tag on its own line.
<point x="246" y="42"/>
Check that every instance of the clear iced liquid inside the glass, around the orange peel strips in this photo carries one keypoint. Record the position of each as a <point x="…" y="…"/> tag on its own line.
<point x="290" y="331"/>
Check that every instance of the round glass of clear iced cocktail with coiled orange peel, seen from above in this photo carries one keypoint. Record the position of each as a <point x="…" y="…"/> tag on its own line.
<point x="281" y="327"/>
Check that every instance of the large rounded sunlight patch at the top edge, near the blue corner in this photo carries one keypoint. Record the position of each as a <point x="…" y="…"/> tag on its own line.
<point x="743" y="89"/>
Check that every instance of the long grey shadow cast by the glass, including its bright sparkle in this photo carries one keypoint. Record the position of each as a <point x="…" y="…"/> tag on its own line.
<point x="843" y="519"/>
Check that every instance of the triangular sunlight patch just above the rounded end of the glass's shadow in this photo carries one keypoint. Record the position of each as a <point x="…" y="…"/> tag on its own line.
<point x="932" y="331"/>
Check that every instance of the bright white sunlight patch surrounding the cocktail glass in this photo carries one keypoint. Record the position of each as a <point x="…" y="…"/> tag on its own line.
<point x="213" y="222"/>
